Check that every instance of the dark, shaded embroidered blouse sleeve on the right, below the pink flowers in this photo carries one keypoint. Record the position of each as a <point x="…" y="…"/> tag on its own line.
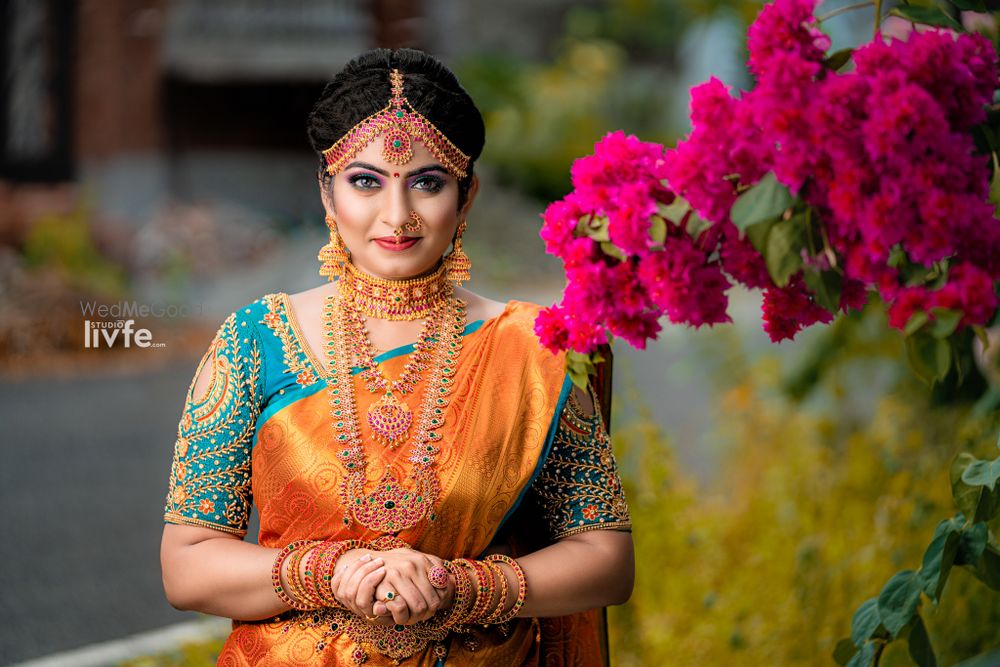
<point x="578" y="486"/>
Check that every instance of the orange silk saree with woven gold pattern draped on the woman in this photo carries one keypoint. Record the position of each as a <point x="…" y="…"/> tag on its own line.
<point x="504" y="407"/>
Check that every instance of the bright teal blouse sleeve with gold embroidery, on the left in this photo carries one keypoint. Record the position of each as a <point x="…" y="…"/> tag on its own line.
<point x="210" y="474"/>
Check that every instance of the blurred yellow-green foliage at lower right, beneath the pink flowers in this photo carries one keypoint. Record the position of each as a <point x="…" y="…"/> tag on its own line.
<point x="824" y="493"/>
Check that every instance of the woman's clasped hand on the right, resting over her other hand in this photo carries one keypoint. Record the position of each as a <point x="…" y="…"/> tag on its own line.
<point x="415" y="599"/>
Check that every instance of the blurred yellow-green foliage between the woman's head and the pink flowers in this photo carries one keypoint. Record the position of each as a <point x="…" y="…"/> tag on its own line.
<point x="614" y="67"/>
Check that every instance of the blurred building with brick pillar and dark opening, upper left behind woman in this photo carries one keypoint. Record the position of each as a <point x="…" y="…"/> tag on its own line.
<point x="143" y="100"/>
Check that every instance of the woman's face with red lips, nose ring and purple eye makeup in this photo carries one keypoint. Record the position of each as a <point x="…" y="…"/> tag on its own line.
<point x="373" y="198"/>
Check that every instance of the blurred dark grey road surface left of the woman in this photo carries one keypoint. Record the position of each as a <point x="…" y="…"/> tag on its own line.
<point x="83" y="474"/>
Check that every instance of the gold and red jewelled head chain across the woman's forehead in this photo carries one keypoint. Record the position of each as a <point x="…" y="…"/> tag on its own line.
<point x="401" y="124"/>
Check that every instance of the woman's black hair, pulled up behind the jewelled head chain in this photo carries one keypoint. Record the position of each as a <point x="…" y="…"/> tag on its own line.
<point x="361" y="88"/>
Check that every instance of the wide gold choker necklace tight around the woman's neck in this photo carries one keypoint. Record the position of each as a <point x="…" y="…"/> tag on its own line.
<point x="409" y="299"/>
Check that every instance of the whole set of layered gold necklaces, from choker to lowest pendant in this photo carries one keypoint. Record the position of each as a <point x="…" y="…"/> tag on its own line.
<point x="393" y="506"/>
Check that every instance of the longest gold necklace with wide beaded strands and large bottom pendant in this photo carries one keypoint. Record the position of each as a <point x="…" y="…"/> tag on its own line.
<point x="393" y="506"/>
